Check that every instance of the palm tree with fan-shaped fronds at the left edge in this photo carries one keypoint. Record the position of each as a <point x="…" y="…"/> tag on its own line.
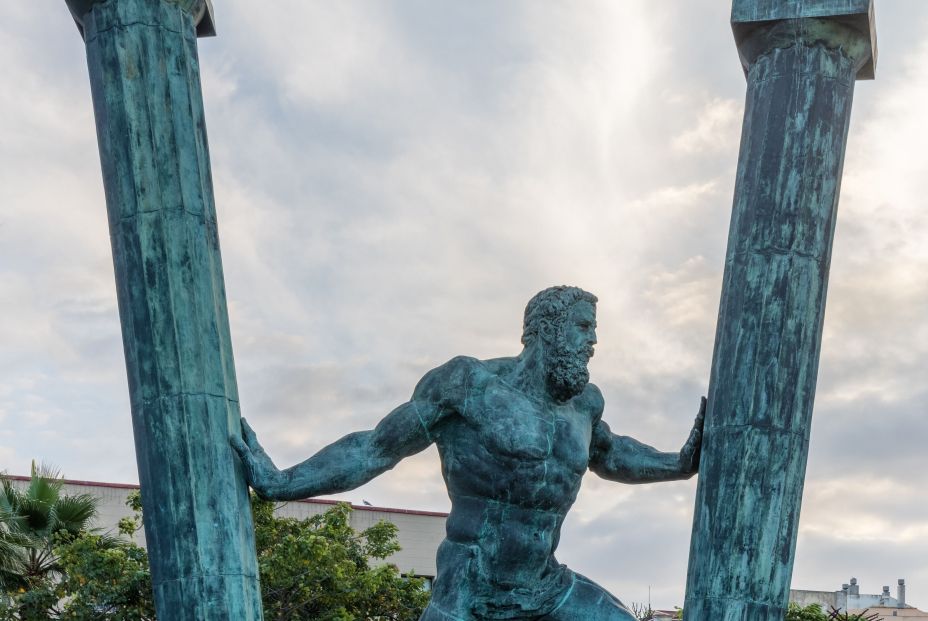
<point x="34" y="518"/>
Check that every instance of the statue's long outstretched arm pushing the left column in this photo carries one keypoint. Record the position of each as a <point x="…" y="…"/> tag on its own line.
<point x="358" y="457"/>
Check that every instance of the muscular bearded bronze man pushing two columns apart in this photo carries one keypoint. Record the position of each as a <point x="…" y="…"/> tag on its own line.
<point x="515" y="436"/>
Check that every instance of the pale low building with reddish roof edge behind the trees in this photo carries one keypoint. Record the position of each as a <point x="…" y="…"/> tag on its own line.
<point x="418" y="532"/>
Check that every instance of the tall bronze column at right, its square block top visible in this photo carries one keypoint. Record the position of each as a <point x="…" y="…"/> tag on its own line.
<point x="801" y="59"/>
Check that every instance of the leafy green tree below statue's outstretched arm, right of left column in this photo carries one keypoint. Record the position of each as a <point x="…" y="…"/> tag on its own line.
<point x="319" y="569"/>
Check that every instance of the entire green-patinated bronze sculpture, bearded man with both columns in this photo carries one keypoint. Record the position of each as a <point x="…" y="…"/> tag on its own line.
<point x="515" y="434"/>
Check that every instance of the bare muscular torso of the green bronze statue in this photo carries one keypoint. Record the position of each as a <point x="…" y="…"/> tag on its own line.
<point x="513" y="466"/>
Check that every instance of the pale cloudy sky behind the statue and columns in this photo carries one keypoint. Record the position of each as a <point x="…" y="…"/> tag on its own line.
<point x="395" y="179"/>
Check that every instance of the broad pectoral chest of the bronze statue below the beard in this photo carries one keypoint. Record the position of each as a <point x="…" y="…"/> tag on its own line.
<point x="512" y="425"/>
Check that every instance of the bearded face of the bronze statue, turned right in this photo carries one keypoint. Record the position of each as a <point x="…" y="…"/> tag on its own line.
<point x="570" y="351"/>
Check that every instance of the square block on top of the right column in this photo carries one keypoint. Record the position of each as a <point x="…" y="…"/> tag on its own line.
<point x="746" y="15"/>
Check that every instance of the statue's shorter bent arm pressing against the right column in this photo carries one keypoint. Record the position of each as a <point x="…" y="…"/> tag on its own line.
<point x="624" y="459"/>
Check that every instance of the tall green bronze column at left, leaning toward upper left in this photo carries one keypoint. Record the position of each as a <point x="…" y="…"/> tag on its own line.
<point x="145" y="81"/>
